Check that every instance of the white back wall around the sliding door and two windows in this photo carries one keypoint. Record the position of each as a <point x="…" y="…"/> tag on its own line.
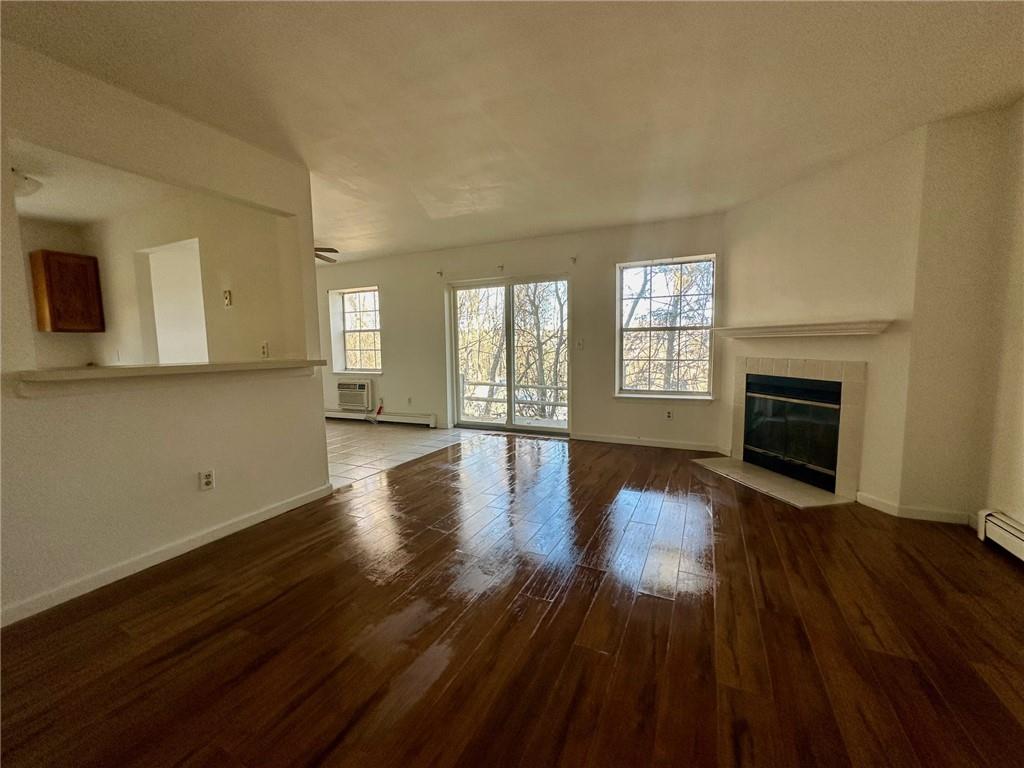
<point x="414" y="340"/>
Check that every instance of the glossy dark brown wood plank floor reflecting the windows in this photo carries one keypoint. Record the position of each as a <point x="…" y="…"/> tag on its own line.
<point x="514" y="602"/>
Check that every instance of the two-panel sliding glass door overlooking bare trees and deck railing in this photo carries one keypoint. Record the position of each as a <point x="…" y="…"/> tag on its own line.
<point x="513" y="355"/>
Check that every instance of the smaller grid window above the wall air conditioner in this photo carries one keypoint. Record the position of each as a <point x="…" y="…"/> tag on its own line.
<point x="356" y="330"/>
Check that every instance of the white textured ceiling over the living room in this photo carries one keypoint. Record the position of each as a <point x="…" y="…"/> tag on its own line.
<point x="432" y="125"/>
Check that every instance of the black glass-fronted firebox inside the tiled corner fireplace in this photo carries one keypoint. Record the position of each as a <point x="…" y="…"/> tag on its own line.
<point x="791" y="426"/>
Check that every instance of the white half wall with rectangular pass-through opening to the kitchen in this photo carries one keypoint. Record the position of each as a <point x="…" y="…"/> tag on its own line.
<point x="100" y="481"/>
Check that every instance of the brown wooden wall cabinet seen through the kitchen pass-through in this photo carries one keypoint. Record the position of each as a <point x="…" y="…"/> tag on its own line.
<point x="67" y="290"/>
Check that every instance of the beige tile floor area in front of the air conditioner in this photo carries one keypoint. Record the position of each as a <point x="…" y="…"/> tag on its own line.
<point x="357" y="449"/>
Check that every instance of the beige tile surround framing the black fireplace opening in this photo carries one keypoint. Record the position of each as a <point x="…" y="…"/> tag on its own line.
<point x="852" y="374"/>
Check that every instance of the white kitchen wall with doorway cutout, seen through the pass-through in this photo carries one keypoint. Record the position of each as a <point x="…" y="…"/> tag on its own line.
<point x="241" y="249"/>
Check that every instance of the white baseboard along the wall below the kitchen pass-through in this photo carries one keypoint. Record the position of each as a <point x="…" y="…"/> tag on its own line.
<point x="44" y="601"/>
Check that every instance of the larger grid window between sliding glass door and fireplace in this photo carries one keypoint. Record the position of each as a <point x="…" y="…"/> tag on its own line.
<point x="666" y="310"/>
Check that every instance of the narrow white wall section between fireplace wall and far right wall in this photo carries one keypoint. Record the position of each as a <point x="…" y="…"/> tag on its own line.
<point x="961" y="273"/>
